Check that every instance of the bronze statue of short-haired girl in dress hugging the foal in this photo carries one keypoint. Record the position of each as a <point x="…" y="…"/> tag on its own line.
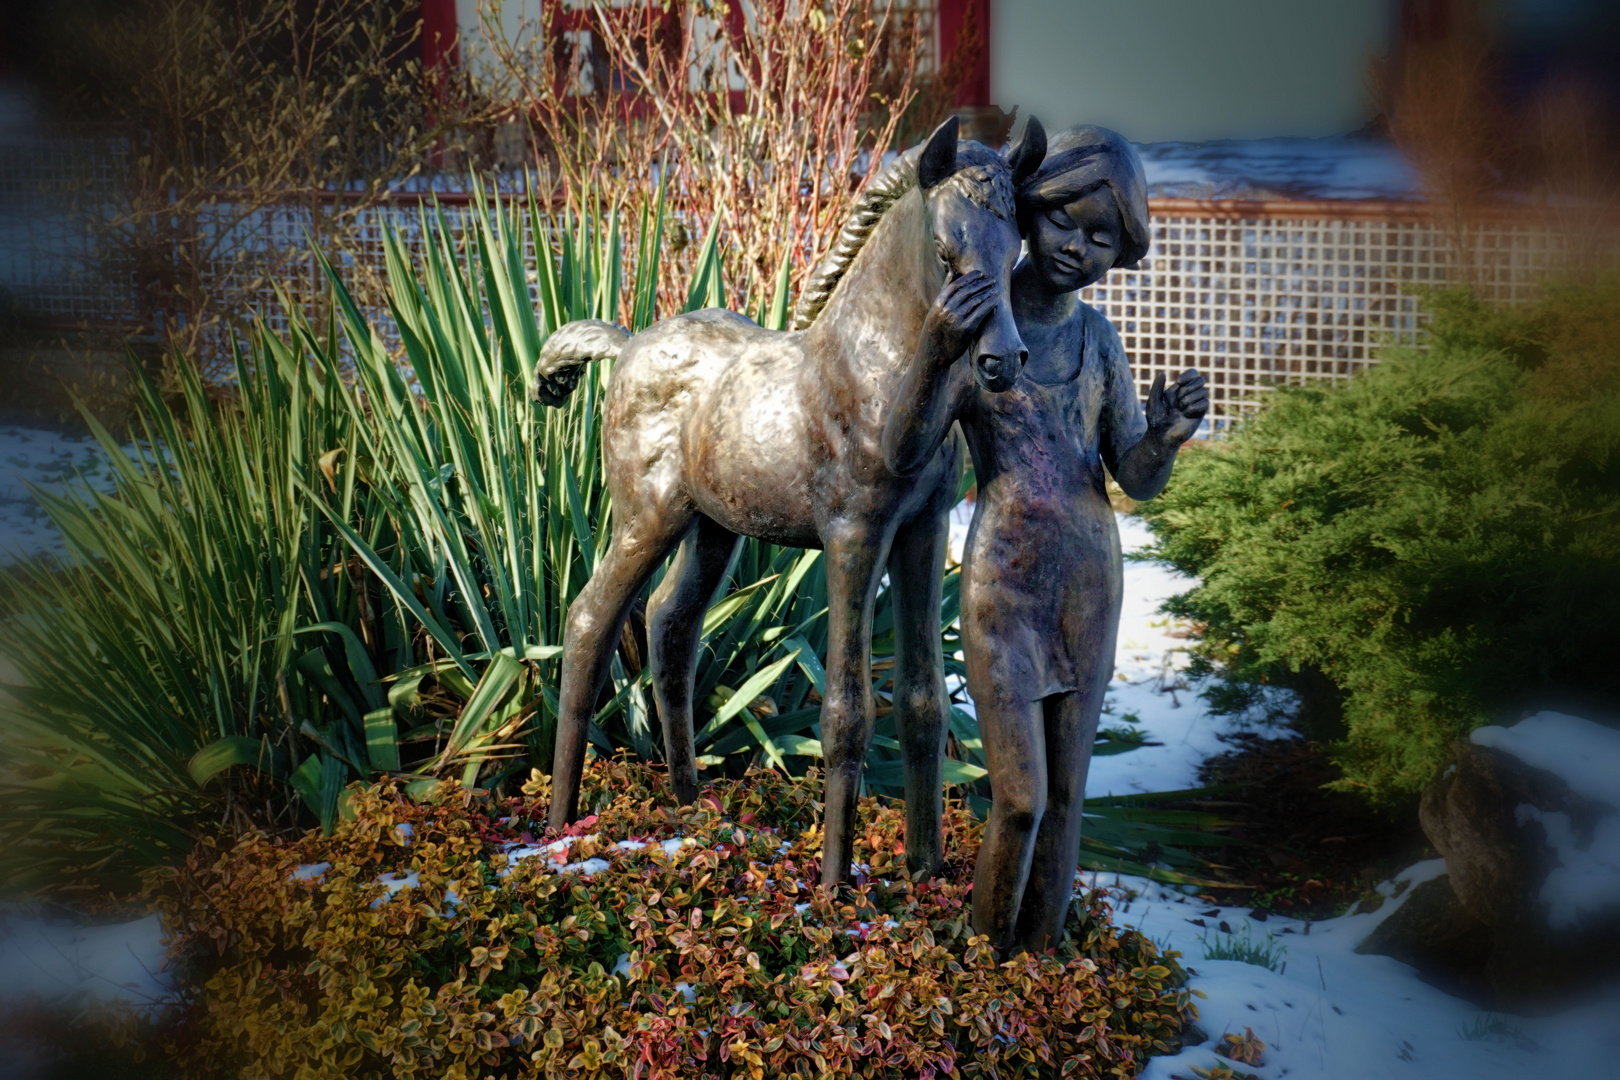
<point x="1042" y="572"/>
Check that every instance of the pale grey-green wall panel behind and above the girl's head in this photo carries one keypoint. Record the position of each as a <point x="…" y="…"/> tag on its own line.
<point x="1162" y="70"/>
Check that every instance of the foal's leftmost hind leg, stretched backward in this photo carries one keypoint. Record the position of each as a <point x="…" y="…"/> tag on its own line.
<point x="592" y="634"/>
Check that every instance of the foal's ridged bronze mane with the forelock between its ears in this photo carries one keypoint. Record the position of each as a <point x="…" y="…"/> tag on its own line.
<point x="984" y="177"/>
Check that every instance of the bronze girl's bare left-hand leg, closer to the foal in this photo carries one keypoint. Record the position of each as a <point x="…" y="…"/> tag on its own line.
<point x="1017" y="754"/>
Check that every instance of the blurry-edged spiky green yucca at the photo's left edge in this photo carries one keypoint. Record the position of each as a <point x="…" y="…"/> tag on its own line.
<point x="171" y="626"/>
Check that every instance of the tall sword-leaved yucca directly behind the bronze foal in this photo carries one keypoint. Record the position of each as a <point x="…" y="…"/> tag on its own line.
<point x="498" y="512"/>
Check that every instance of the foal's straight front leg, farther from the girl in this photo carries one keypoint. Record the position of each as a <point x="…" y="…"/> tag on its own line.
<point x="855" y="551"/>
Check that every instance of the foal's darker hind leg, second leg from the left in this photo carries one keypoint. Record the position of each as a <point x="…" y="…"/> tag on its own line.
<point x="675" y="627"/>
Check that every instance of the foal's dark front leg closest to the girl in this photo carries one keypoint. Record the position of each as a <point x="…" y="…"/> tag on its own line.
<point x="916" y="571"/>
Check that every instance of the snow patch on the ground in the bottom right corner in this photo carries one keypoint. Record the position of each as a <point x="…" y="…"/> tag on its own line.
<point x="1331" y="1014"/>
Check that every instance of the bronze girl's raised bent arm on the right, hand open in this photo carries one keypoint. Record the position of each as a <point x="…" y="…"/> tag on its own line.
<point x="1141" y="449"/>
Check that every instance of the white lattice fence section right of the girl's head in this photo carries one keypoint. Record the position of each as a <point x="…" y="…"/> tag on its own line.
<point x="1294" y="292"/>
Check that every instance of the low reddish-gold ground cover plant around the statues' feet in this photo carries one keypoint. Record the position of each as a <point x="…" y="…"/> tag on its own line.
<point x="446" y="938"/>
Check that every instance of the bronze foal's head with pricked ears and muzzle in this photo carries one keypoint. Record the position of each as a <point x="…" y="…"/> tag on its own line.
<point x="970" y="195"/>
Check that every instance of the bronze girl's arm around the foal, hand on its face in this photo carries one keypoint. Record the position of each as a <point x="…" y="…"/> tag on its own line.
<point x="932" y="389"/>
